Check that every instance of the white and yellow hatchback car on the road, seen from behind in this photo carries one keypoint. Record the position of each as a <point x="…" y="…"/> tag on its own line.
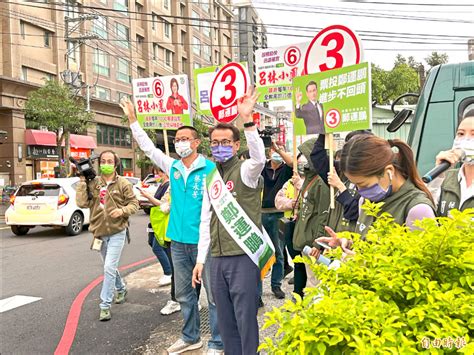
<point x="46" y="202"/>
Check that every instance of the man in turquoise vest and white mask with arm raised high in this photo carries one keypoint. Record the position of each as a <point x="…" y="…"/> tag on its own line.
<point x="186" y="185"/>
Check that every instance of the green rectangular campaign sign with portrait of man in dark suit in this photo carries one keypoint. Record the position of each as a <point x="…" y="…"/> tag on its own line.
<point x="336" y="100"/>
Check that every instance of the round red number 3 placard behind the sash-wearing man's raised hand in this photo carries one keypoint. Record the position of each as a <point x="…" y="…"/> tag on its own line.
<point x="229" y="85"/>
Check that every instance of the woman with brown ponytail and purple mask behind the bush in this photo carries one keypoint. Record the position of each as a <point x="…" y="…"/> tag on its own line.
<point x="384" y="171"/>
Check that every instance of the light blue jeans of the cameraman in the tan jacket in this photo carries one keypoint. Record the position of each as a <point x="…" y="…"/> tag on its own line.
<point x="111" y="251"/>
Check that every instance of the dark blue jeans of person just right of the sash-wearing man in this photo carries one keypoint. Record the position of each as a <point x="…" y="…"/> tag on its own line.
<point x="270" y="223"/>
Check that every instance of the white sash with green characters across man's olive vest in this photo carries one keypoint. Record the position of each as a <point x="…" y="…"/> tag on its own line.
<point x="254" y="242"/>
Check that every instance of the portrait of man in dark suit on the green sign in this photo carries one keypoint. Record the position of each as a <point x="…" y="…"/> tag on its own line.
<point x="311" y="112"/>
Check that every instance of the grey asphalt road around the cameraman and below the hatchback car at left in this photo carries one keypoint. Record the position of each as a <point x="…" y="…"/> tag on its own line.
<point x="45" y="263"/>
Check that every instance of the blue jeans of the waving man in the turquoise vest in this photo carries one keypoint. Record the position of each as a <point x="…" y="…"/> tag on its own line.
<point x="184" y="259"/>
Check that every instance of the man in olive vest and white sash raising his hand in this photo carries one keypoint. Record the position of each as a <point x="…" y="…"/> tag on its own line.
<point x="231" y="226"/>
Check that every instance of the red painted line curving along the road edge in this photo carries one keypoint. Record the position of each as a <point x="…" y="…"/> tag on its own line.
<point x="72" y="320"/>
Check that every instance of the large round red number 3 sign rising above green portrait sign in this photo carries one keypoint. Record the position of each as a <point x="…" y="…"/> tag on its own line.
<point x="334" y="47"/>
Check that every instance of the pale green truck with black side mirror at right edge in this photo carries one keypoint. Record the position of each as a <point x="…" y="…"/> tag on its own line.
<point x="447" y="94"/>
